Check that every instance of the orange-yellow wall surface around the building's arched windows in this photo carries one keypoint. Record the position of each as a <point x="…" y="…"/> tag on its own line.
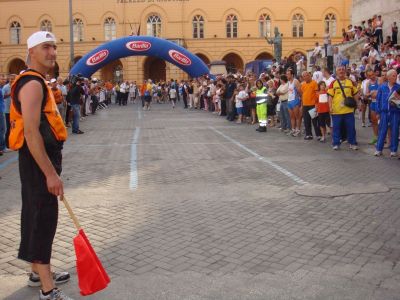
<point x="176" y="23"/>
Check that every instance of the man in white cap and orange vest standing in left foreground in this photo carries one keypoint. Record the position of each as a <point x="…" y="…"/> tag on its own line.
<point x="38" y="133"/>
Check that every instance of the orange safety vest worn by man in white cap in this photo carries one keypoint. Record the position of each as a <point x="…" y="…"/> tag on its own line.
<point x="16" y="139"/>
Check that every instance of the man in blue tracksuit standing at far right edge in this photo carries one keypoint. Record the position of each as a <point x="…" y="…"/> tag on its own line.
<point x="389" y="114"/>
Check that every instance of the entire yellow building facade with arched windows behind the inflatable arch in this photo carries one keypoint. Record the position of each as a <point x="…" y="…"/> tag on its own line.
<point x="229" y="30"/>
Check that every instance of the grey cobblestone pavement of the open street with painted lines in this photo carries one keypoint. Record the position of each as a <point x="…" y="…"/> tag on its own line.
<point x="214" y="210"/>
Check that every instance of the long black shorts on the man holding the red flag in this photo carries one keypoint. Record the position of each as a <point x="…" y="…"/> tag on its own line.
<point x="39" y="213"/>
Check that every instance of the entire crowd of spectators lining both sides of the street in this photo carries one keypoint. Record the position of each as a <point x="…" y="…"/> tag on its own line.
<point x="285" y="95"/>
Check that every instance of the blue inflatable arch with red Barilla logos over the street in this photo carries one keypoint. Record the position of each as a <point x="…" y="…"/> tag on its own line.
<point x="140" y="45"/>
